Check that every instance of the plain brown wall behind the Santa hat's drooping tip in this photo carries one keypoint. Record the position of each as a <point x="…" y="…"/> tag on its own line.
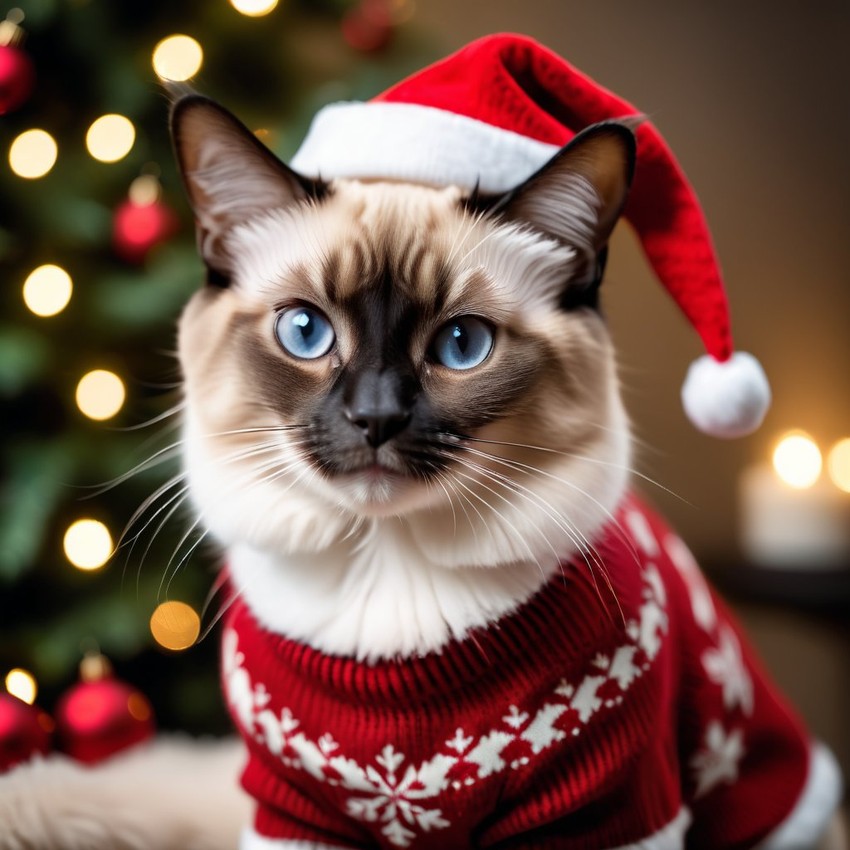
<point x="753" y="98"/>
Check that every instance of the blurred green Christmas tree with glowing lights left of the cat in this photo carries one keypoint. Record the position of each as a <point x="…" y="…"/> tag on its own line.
<point x="97" y="251"/>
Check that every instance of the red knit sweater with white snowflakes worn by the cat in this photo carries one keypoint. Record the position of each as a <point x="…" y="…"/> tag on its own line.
<point x="617" y="705"/>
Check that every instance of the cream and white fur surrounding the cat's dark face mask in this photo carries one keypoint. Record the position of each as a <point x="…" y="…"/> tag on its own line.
<point x="377" y="568"/>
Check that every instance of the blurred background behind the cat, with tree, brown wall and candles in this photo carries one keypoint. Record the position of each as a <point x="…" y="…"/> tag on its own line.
<point x="97" y="257"/>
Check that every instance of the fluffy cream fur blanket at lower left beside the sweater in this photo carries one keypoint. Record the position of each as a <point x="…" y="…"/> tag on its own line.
<point x="172" y="794"/>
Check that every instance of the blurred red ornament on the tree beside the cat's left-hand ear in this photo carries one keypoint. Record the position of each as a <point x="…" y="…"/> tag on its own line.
<point x="142" y="221"/>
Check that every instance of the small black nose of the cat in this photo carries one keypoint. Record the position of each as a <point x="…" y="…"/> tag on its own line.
<point x="379" y="406"/>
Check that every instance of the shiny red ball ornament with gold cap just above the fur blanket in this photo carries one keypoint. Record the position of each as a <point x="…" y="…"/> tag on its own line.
<point x="100" y="715"/>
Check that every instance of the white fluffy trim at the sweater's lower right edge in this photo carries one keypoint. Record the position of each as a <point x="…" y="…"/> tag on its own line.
<point x="815" y="808"/>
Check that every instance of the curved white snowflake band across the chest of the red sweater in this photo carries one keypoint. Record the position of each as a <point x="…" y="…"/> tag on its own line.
<point x="399" y="795"/>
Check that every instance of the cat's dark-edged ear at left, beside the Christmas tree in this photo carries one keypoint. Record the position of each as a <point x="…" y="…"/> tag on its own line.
<point x="230" y="176"/>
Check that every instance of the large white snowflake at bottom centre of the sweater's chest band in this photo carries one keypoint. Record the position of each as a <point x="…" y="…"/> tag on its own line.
<point x="393" y="797"/>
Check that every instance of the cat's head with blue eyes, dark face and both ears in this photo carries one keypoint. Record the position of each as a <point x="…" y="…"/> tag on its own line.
<point x="364" y="351"/>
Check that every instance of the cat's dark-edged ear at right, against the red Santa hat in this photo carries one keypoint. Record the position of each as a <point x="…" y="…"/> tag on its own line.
<point x="577" y="197"/>
